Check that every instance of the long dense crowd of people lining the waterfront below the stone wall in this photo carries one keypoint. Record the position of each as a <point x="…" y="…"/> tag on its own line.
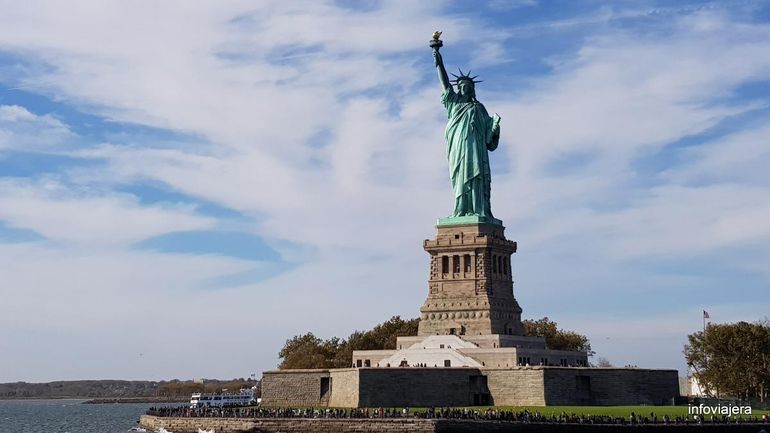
<point x="523" y="416"/>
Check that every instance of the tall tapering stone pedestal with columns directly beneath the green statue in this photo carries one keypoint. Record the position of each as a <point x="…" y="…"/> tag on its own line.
<point x="470" y="290"/>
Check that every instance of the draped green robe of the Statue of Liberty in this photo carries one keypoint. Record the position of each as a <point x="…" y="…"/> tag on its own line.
<point x="470" y="132"/>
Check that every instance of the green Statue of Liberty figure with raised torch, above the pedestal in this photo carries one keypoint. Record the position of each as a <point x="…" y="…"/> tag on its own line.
<point x="470" y="132"/>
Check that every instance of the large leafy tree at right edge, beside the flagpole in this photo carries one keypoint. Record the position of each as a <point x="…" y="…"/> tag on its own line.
<point x="732" y="359"/>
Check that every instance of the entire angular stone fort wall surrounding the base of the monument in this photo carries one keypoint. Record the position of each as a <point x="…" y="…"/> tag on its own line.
<point x="422" y="387"/>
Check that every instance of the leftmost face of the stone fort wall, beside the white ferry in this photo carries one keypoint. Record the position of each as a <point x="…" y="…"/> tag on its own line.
<point x="293" y="387"/>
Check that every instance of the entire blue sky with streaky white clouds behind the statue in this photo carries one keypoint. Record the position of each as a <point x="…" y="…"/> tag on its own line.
<point x="186" y="185"/>
